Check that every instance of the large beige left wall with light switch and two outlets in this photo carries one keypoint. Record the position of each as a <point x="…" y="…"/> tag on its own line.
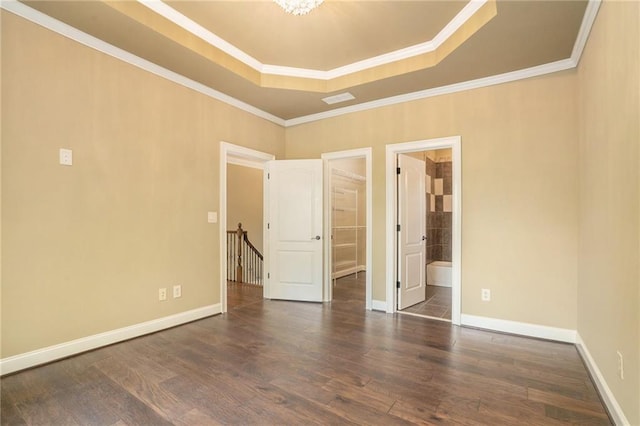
<point x="87" y="247"/>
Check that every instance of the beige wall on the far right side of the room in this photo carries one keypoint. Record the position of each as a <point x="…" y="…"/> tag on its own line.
<point x="609" y="280"/>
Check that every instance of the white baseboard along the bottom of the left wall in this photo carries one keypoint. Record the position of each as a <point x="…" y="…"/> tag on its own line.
<point x="63" y="350"/>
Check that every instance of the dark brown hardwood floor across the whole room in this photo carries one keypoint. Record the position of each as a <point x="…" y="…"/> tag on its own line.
<point x="276" y="362"/>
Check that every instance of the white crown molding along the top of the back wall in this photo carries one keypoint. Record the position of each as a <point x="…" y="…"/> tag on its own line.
<point x="437" y="91"/>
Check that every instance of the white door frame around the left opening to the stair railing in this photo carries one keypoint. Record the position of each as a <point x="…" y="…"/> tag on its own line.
<point x="242" y="156"/>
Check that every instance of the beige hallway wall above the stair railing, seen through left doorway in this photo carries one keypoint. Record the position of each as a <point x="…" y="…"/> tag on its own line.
<point x="245" y="201"/>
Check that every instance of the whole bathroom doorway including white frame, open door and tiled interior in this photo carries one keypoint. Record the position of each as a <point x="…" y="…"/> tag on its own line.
<point x="440" y="231"/>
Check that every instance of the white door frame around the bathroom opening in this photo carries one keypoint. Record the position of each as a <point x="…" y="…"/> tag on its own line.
<point x="392" y="151"/>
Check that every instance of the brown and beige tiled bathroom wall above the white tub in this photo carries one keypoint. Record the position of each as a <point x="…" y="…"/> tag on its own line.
<point x="439" y="183"/>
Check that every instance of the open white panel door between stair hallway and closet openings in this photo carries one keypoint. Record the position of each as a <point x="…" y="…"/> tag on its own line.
<point x="294" y="264"/>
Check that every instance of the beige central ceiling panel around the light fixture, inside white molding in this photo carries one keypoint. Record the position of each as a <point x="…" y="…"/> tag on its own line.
<point x="317" y="41"/>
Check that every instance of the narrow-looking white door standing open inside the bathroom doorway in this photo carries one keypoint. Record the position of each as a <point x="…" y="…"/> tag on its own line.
<point x="412" y="235"/>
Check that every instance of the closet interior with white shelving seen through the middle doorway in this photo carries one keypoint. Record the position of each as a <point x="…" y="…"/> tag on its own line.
<point x="348" y="223"/>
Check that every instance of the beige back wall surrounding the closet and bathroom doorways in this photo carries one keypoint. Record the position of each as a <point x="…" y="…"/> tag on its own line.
<point x="519" y="221"/>
